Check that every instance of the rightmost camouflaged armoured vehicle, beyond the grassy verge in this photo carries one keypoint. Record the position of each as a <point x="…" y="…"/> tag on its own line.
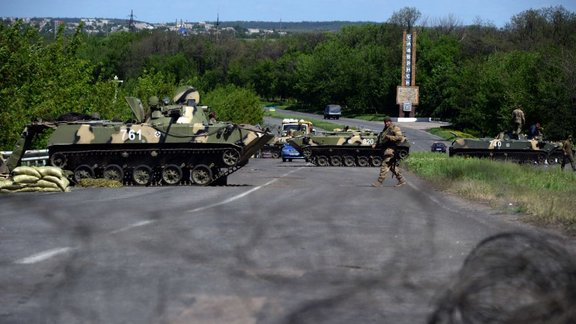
<point x="506" y="147"/>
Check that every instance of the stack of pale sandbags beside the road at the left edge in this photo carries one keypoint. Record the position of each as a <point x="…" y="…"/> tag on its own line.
<point x="42" y="178"/>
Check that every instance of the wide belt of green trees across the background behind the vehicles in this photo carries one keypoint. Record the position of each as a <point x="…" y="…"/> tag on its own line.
<point x="473" y="76"/>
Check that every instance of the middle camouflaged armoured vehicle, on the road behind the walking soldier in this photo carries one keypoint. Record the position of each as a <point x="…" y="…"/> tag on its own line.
<point x="346" y="148"/>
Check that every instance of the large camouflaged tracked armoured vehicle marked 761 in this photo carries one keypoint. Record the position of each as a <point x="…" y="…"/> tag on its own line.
<point x="170" y="145"/>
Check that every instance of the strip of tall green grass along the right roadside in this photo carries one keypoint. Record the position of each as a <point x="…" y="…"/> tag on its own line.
<point x="544" y="195"/>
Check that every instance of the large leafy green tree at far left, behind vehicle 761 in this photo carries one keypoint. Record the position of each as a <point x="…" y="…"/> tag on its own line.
<point x="41" y="80"/>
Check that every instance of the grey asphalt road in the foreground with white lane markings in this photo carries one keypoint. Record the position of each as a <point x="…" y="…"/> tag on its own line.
<point x="282" y="243"/>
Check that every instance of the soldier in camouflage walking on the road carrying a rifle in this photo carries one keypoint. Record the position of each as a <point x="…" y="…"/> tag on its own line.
<point x="390" y="133"/>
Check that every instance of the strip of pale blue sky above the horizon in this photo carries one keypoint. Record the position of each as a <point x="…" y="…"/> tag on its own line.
<point x="497" y="12"/>
